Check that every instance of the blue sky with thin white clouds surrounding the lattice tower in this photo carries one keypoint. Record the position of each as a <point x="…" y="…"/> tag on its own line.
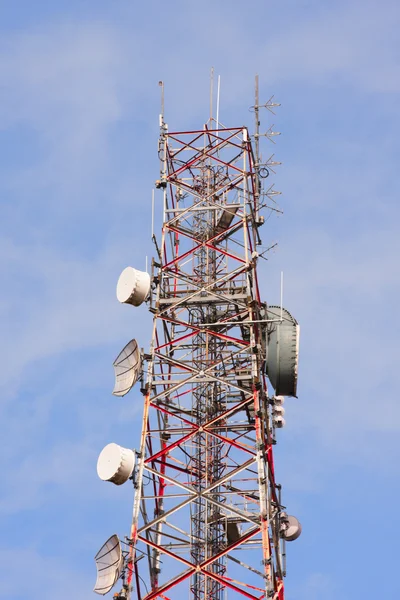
<point x="79" y="123"/>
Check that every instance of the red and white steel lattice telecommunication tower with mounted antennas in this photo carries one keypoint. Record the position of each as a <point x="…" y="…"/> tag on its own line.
<point x="208" y="519"/>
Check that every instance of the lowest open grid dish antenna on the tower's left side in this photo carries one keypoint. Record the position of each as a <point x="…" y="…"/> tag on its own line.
<point x="109" y="564"/>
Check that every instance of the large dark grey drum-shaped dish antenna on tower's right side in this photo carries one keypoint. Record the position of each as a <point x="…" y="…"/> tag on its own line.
<point x="283" y="351"/>
